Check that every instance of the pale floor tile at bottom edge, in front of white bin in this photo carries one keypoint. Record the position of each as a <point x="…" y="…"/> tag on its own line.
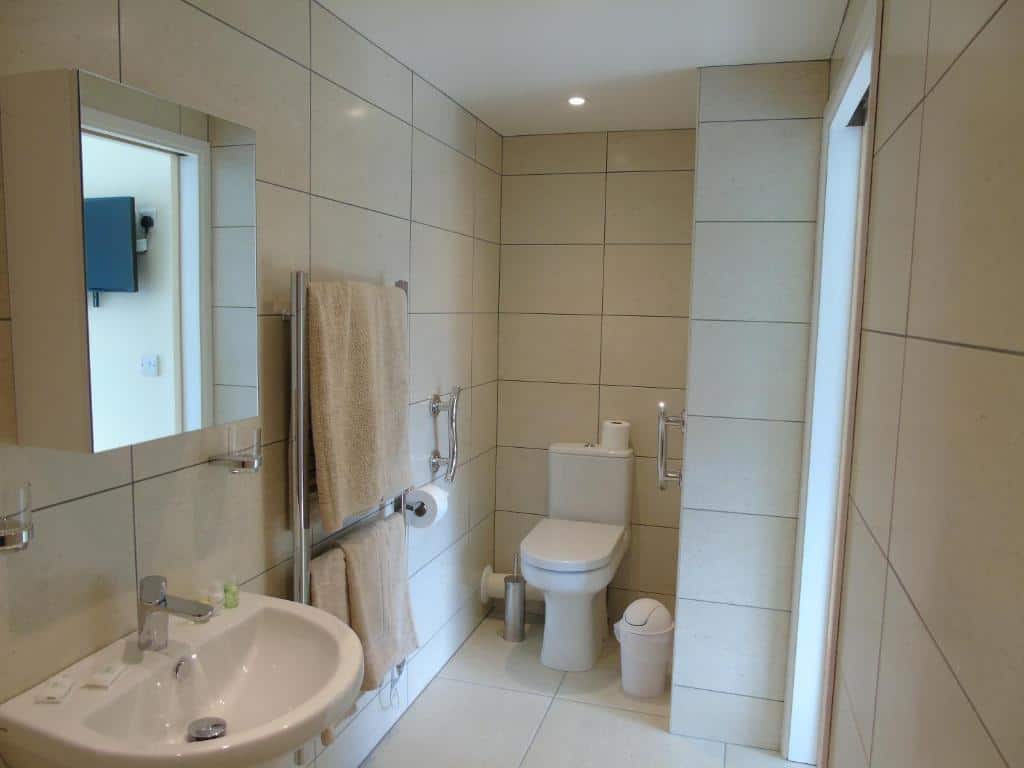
<point x="579" y="736"/>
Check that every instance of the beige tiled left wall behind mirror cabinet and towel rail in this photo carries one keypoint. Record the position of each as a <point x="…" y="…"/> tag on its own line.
<point x="365" y="172"/>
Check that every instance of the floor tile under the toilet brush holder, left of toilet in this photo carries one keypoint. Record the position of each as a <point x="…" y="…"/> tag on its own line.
<point x="488" y="660"/>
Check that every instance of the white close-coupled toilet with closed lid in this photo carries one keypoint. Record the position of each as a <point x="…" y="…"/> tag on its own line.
<point x="574" y="554"/>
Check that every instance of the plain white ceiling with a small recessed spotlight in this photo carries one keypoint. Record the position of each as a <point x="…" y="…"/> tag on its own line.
<point x="516" y="63"/>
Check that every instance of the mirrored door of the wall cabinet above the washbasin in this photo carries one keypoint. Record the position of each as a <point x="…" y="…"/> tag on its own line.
<point x="169" y="219"/>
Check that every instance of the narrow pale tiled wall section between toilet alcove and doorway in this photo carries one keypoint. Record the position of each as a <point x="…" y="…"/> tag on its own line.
<point x="756" y="201"/>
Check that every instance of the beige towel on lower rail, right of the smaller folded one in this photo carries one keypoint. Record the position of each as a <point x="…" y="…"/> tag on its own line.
<point x="378" y="596"/>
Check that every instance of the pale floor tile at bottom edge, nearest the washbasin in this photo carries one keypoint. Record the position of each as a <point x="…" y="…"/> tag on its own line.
<point x="461" y="724"/>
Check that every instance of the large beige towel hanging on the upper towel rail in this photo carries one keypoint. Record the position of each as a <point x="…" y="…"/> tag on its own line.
<point x="359" y="388"/>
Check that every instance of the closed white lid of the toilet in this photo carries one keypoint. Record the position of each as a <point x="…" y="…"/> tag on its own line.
<point x="571" y="546"/>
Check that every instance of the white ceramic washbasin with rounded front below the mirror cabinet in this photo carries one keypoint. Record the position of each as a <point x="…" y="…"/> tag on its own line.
<point x="278" y="672"/>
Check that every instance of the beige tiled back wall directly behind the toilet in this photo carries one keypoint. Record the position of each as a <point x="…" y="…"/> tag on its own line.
<point x="594" y="307"/>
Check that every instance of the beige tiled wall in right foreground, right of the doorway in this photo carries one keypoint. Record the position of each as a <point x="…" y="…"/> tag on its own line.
<point x="931" y="638"/>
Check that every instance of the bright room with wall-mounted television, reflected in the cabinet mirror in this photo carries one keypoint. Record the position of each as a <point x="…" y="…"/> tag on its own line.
<point x="136" y="312"/>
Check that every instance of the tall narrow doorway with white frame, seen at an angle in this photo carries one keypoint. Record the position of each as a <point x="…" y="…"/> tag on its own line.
<point x="833" y="359"/>
